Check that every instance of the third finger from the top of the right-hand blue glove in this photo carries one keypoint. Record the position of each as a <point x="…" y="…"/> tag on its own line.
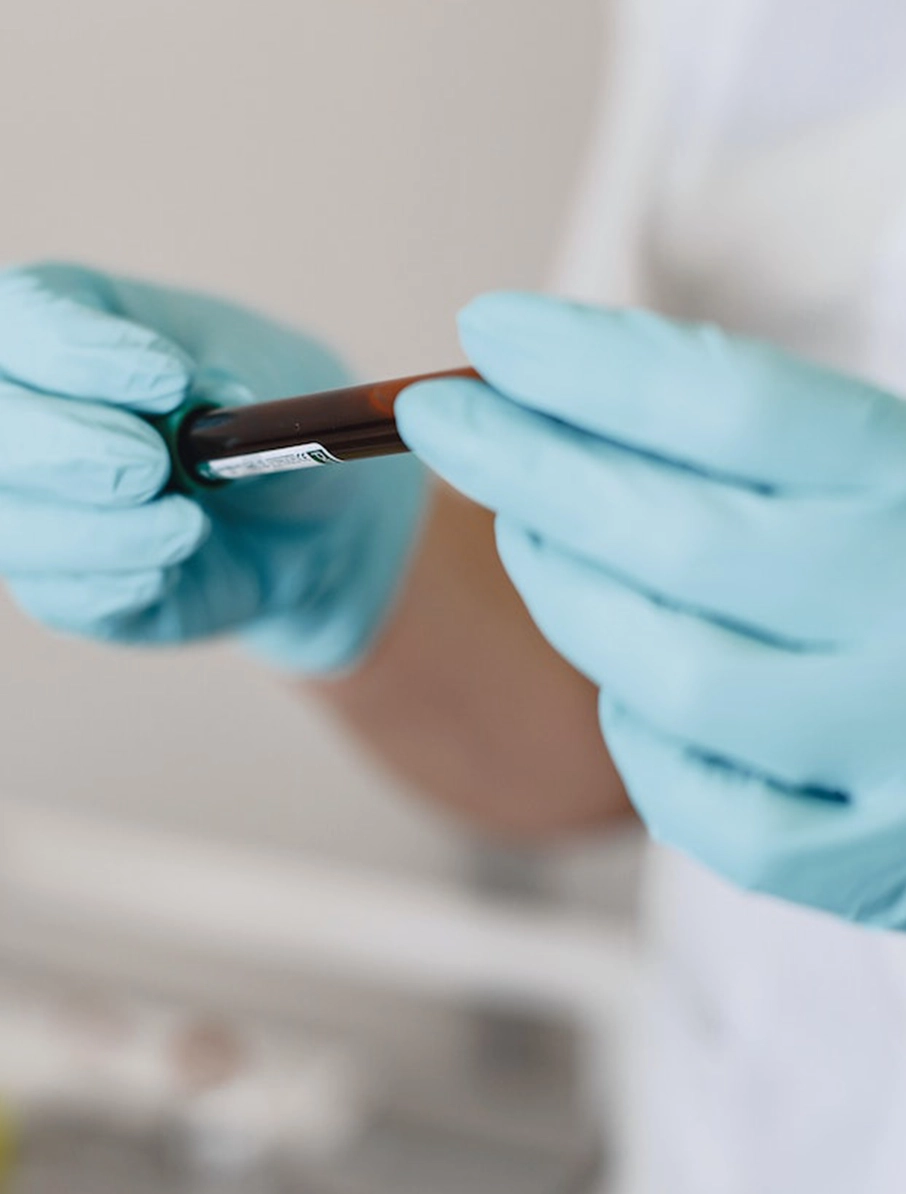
<point x="784" y="712"/>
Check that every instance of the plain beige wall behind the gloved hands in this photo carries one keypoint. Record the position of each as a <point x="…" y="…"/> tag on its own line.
<point x="360" y="167"/>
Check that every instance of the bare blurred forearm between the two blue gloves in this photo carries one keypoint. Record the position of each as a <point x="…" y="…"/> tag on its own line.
<point x="464" y="698"/>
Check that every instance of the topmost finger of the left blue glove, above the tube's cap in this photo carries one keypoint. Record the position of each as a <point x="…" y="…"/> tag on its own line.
<point x="59" y="335"/>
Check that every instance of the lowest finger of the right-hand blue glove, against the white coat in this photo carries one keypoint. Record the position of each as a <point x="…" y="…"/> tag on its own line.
<point x="749" y="830"/>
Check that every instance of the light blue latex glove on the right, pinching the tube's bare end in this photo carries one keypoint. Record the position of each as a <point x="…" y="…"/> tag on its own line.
<point x="714" y="533"/>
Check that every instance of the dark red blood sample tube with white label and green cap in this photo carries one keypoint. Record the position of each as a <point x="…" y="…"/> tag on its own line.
<point x="212" y="446"/>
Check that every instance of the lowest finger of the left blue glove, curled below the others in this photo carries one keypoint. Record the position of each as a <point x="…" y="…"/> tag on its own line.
<point x="83" y="602"/>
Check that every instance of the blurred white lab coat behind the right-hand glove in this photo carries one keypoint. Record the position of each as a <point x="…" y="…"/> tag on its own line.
<point x="750" y="168"/>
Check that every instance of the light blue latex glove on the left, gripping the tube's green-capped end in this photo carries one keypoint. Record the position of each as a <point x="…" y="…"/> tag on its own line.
<point x="305" y="564"/>
